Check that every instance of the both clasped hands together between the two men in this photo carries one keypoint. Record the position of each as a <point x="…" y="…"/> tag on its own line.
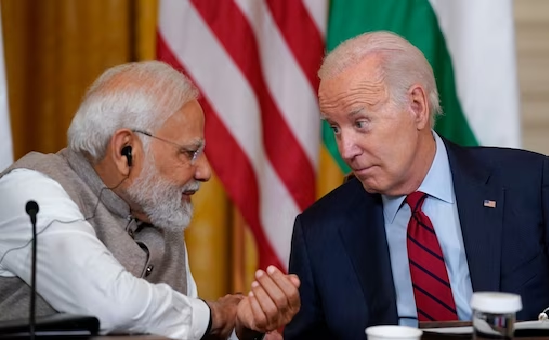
<point x="271" y="303"/>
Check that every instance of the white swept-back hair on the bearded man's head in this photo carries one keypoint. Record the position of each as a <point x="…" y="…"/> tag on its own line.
<point x="135" y="96"/>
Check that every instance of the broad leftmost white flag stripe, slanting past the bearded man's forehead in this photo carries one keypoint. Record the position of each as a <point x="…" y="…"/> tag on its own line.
<point x="228" y="92"/>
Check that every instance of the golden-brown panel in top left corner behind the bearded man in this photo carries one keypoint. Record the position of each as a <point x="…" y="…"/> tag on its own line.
<point x="54" y="49"/>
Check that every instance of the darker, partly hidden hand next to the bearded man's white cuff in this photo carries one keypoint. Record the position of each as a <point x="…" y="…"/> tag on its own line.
<point x="224" y="316"/>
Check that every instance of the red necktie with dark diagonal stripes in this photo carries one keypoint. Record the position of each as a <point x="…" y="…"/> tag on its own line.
<point x="432" y="291"/>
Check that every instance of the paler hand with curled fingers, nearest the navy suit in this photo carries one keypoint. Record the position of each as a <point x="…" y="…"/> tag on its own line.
<point x="272" y="303"/>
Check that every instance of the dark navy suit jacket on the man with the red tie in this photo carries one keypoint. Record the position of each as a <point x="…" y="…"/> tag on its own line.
<point x="339" y="248"/>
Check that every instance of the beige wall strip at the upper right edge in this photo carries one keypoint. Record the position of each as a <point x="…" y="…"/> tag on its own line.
<point x="532" y="39"/>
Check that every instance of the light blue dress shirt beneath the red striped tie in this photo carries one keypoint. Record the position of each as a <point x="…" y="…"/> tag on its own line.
<point x="441" y="207"/>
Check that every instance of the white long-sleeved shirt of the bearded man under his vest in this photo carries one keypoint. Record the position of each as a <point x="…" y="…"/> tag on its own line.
<point x="77" y="274"/>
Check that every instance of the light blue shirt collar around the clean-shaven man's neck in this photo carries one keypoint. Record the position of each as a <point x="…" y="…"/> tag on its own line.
<point x="438" y="183"/>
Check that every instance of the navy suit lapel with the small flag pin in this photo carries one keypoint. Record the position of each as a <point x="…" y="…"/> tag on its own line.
<point x="481" y="224"/>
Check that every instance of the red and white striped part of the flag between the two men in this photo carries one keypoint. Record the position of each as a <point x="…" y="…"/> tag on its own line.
<point x="255" y="63"/>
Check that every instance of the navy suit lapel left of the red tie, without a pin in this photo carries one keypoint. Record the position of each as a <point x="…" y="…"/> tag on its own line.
<point x="363" y="235"/>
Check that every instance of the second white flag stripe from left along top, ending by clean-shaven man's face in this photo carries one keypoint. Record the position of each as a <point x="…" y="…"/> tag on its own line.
<point x="289" y="87"/>
